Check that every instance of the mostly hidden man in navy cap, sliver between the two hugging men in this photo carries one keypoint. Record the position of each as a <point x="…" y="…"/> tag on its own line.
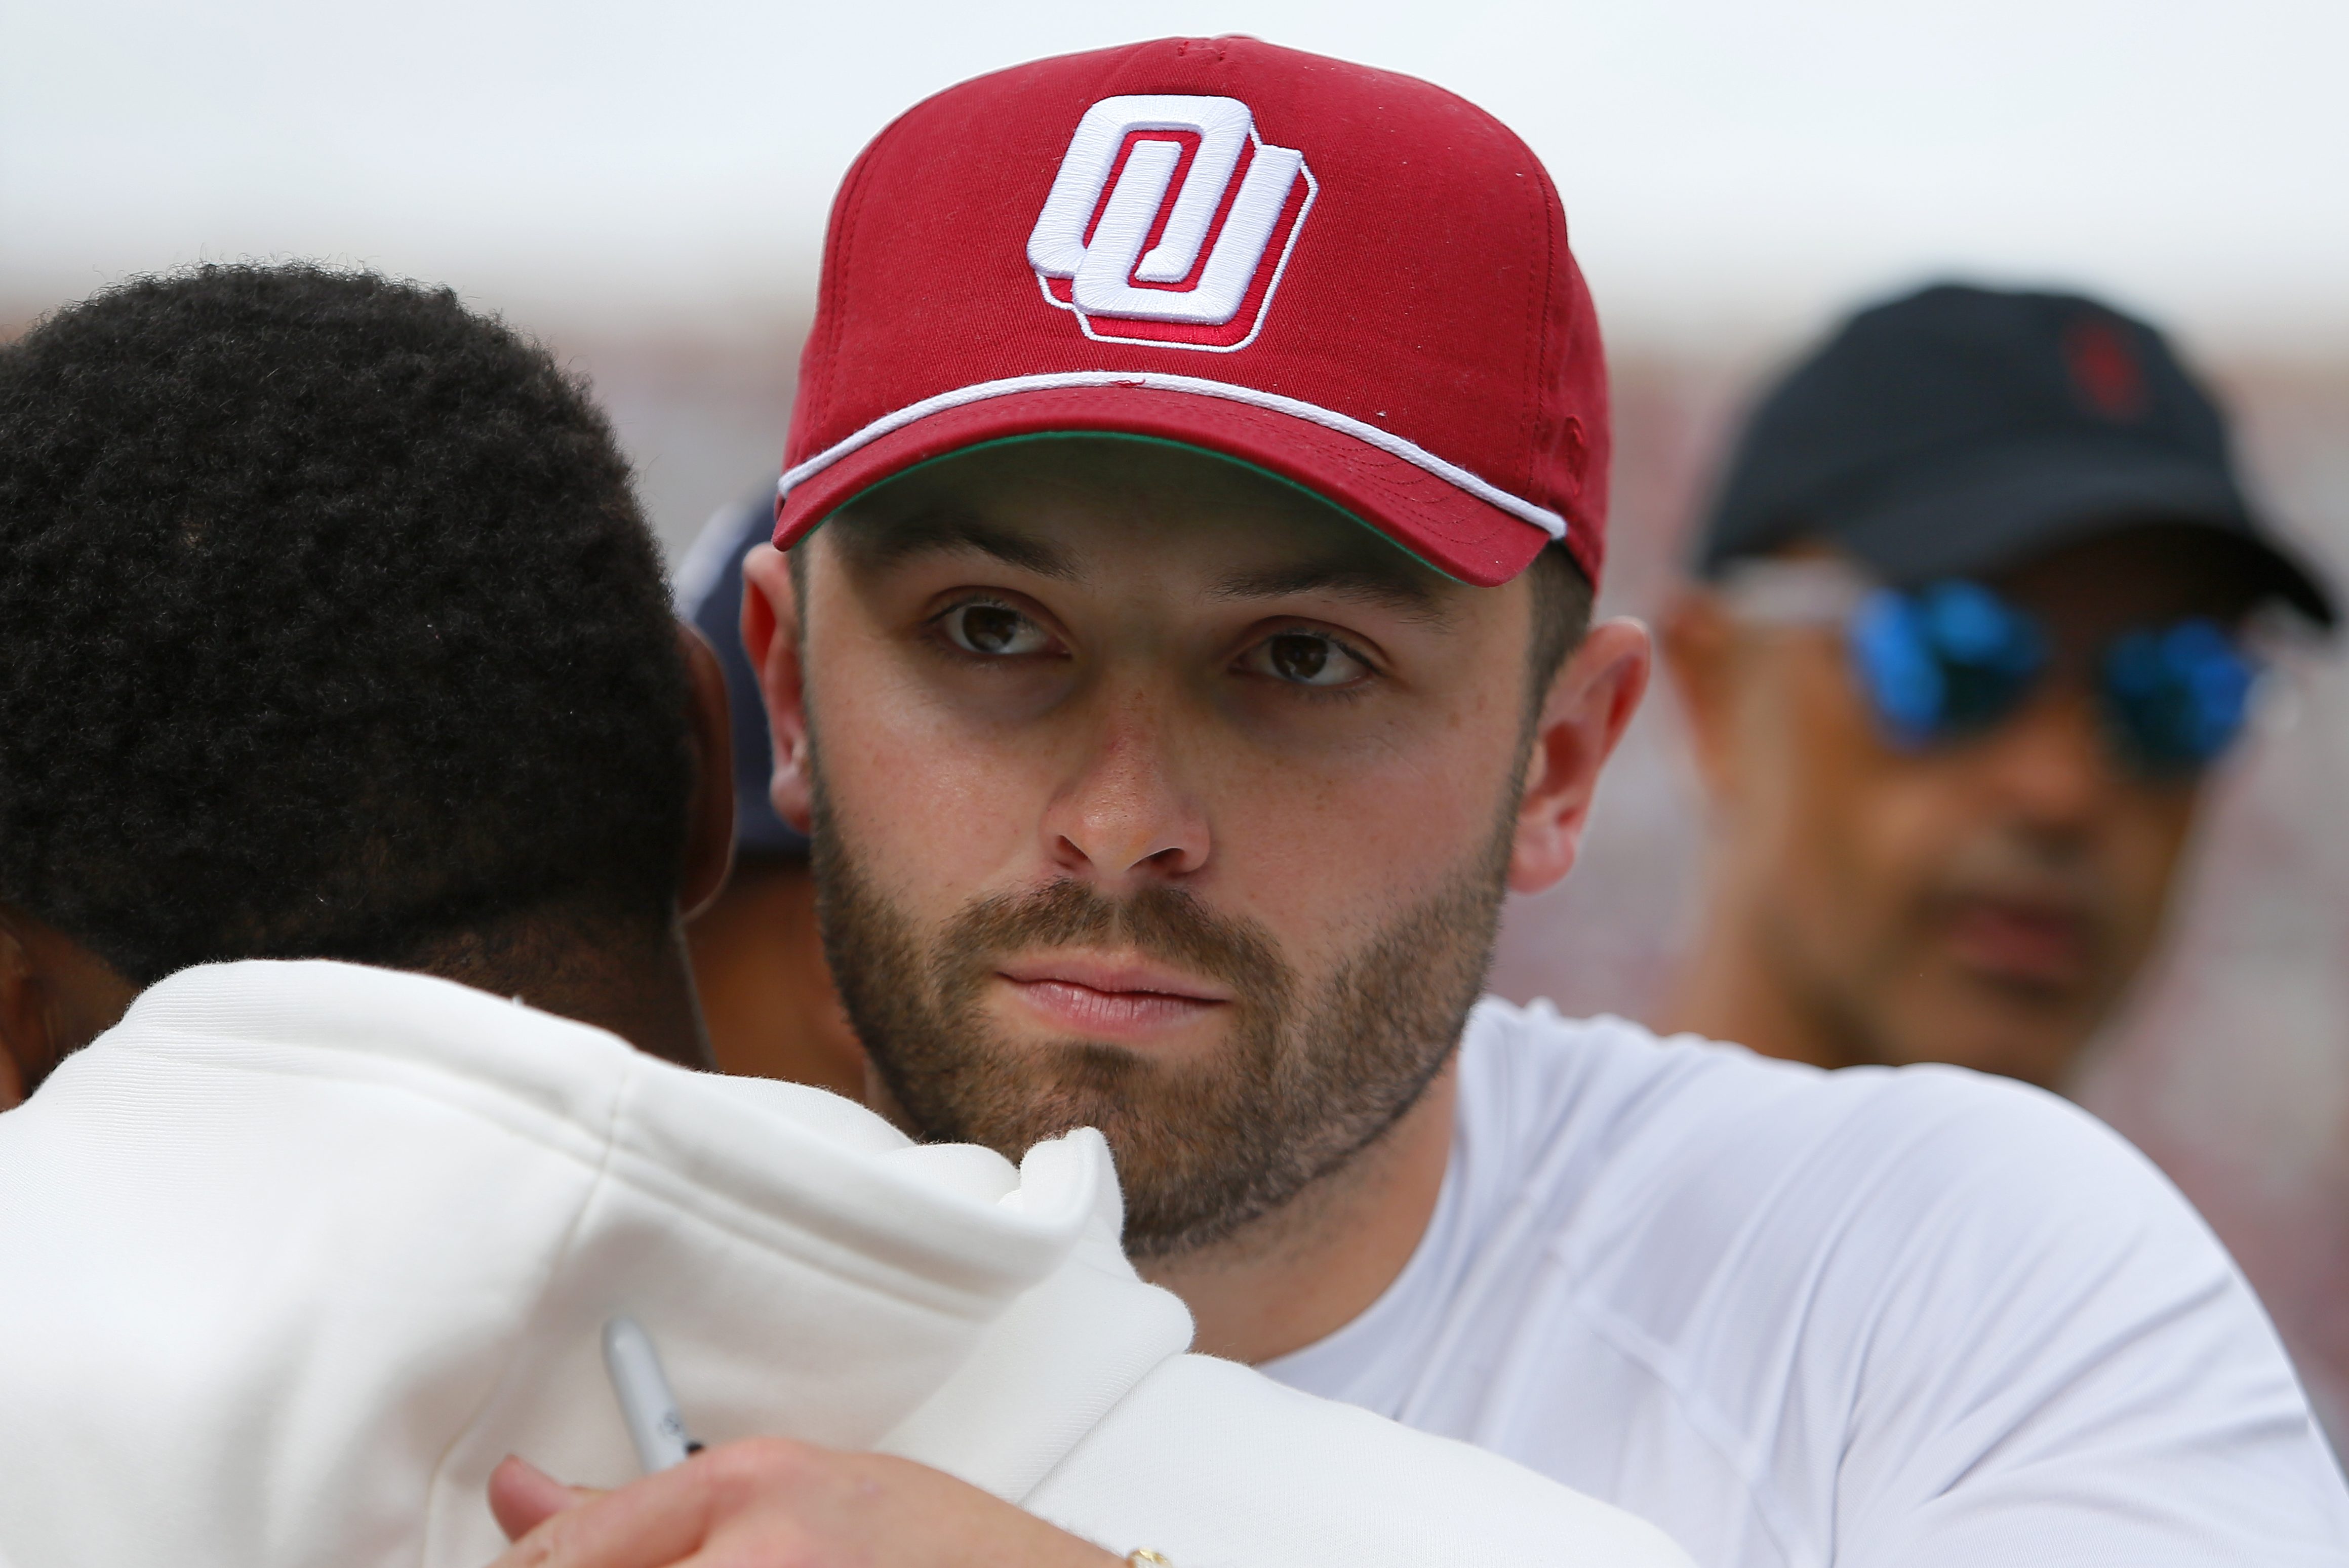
<point x="758" y="957"/>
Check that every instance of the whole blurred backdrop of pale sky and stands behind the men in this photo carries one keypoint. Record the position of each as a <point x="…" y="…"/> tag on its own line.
<point x="645" y="189"/>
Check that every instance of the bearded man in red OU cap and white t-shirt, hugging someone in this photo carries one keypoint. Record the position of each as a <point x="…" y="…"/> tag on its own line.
<point x="1194" y="506"/>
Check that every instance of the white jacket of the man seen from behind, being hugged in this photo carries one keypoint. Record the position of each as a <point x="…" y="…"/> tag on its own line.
<point x="299" y="1252"/>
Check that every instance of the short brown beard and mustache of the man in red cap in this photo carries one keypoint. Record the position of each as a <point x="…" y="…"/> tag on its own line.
<point x="1307" y="1081"/>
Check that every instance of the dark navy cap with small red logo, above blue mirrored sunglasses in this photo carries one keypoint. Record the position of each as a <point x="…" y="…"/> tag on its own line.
<point x="1963" y="431"/>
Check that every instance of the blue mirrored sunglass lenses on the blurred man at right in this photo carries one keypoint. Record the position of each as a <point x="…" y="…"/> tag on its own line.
<point x="1956" y="658"/>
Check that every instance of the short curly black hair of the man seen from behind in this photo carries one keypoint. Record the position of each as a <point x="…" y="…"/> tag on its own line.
<point x="330" y="628"/>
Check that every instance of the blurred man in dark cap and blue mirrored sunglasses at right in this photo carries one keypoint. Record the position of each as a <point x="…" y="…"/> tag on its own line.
<point x="1972" y="633"/>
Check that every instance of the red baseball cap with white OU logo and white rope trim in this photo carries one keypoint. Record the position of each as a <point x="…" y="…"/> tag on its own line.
<point x="1342" y="276"/>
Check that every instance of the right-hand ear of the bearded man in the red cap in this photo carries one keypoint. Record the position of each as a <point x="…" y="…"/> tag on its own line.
<point x="1582" y="719"/>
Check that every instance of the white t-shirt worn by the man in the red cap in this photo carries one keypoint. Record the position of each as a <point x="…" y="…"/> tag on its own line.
<point x="1873" y="1318"/>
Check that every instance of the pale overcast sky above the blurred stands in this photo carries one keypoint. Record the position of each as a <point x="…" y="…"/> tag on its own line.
<point x="1730" y="168"/>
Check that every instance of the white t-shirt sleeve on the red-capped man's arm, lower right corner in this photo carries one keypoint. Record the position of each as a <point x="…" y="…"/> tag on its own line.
<point x="2066" y="1367"/>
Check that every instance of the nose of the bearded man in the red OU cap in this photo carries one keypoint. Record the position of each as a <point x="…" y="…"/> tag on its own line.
<point x="1124" y="818"/>
